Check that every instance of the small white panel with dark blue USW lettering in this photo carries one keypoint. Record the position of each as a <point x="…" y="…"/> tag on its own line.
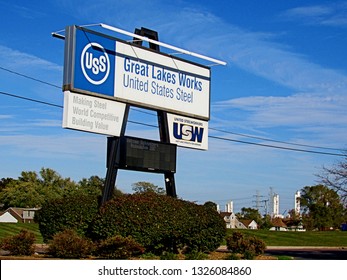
<point x="188" y="132"/>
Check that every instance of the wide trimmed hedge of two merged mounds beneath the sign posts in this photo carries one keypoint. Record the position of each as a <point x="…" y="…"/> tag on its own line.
<point x="159" y="223"/>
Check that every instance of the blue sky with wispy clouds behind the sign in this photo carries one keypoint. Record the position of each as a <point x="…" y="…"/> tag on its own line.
<point x="285" y="80"/>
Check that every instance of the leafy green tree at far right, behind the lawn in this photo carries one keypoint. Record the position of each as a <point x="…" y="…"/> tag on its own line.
<point x="322" y="207"/>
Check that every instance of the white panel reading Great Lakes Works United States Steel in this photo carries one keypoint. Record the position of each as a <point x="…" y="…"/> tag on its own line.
<point x="159" y="81"/>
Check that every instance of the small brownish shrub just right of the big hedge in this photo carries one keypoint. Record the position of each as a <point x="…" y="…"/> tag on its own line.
<point x="249" y="247"/>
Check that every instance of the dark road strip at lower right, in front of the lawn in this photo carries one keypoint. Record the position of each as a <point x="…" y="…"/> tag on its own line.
<point x="309" y="253"/>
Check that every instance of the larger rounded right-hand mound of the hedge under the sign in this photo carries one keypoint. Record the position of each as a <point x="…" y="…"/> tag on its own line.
<point x="160" y="223"/>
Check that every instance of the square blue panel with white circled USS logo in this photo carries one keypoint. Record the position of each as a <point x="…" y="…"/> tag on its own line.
<point x="94" y="63"/>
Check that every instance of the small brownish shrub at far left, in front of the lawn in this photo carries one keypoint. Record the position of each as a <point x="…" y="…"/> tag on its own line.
<point x="21" y="244"/>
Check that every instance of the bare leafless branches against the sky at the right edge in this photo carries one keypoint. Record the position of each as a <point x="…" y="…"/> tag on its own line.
<point x="336" y="178"/>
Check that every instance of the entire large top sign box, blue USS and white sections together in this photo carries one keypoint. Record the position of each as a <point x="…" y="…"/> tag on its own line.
<point x="103" y="65"/>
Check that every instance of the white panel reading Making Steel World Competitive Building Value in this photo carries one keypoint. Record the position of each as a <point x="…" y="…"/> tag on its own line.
<point x="92" y="114"/>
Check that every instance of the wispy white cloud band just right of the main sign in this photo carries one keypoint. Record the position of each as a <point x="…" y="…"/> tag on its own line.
<point x="303" y="110"/>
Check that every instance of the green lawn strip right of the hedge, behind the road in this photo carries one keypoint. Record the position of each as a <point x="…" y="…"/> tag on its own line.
<point x="306" y="238"/>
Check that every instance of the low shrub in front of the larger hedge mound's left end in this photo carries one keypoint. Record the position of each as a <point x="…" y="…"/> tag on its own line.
<point x="118" y="247"/>
